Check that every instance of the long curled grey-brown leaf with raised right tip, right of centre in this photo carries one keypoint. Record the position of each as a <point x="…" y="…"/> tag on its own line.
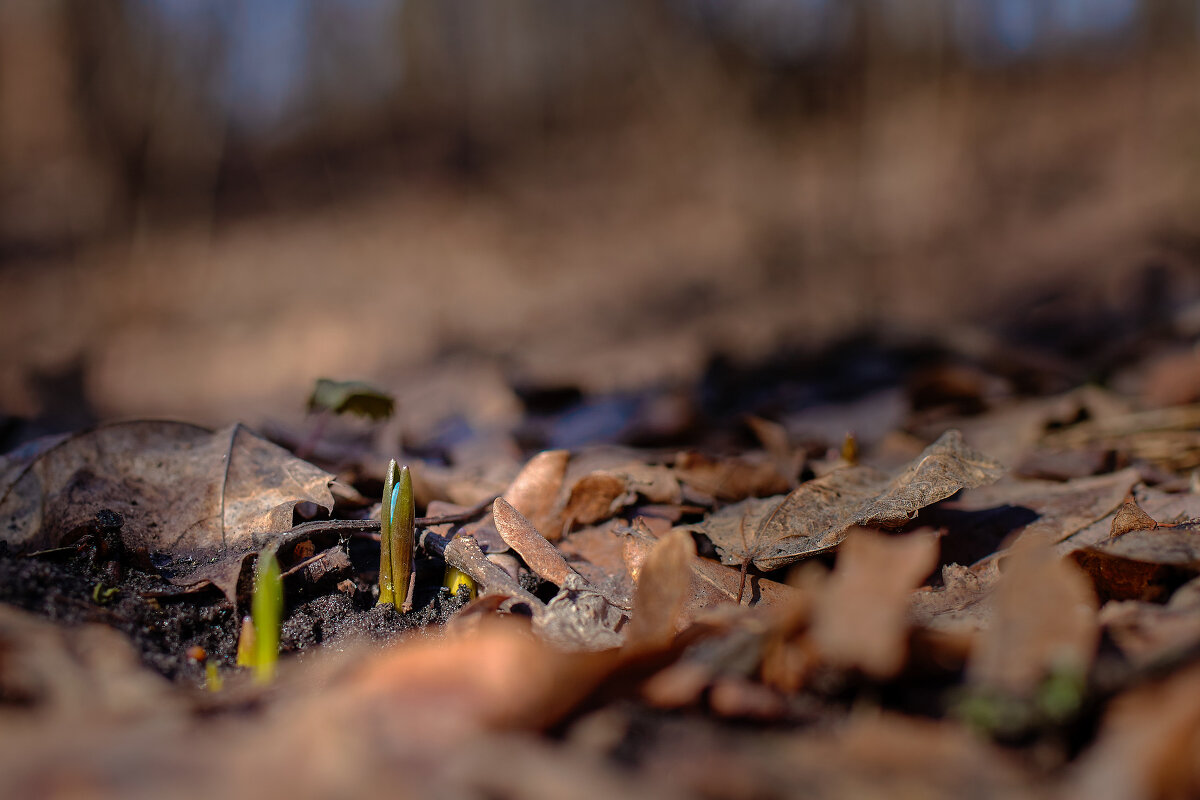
<point x="814" y="519"/>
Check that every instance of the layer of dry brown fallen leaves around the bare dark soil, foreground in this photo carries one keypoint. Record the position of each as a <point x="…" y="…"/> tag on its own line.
<point x="951" y="630"/>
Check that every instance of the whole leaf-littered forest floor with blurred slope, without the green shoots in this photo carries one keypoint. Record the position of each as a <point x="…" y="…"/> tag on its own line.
<point x="809" y="489"/>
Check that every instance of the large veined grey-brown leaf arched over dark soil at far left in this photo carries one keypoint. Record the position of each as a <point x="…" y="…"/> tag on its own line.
<point x="206" y="500"/>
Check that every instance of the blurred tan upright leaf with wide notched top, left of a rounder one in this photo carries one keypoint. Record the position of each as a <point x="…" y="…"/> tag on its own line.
<point x="862" y="616"/>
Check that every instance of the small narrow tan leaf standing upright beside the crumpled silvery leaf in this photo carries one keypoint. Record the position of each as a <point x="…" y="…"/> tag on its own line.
<point x="663" y="588"/>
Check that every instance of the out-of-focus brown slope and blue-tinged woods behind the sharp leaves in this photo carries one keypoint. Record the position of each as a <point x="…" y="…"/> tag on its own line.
<point x="476" y="206"/>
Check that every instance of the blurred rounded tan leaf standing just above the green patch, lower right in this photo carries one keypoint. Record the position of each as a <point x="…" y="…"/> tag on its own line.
<point x="1045" y="622"/>
